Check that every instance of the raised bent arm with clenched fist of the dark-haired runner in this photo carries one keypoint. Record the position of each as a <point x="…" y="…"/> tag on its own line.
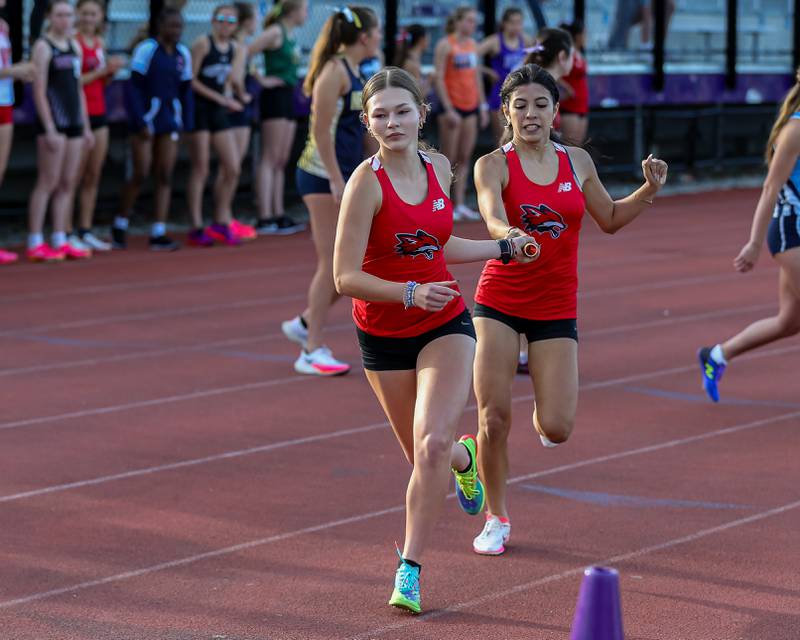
<point x="611" y="215"/>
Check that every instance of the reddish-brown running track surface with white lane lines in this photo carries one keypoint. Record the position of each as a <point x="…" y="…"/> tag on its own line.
<point x="165" y="475"/>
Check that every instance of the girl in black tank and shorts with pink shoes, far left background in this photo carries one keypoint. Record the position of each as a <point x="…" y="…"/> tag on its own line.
<point x="63" y="129"/>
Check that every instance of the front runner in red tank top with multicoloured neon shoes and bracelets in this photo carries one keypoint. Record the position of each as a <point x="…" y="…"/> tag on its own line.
<point x="393" y="243"/>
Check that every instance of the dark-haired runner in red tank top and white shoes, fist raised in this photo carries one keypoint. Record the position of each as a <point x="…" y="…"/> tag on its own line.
<point x="533" y="185"/>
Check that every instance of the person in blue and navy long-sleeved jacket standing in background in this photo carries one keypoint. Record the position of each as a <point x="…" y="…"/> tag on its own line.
<point x="159" y="104"/>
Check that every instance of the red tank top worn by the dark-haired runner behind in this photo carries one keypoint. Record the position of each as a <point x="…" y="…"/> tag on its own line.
<point x="546" y="289"/>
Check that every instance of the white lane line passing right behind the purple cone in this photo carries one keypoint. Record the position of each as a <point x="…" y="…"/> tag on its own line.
<point x="613" y="560"/>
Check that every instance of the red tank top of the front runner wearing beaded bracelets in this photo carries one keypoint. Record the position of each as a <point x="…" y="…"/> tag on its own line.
<point x="406" y="242"/>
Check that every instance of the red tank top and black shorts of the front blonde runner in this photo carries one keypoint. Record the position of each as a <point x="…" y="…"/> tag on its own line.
<point x="406" y="243"/>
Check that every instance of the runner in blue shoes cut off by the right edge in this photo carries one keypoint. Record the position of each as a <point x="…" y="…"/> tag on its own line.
<point x="777" y="218"/>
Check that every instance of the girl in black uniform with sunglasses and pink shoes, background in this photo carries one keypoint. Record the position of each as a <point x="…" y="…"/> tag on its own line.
<point x="212" y="61"/>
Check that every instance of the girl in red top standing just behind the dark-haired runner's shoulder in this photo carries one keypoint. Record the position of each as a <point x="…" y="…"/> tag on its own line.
<point x="574" y="87"/>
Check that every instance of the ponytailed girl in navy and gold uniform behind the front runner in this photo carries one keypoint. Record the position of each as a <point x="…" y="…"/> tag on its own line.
<point x="333" y="150"/>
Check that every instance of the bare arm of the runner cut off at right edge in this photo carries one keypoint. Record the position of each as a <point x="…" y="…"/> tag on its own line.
<point x="787" y="150"/>
